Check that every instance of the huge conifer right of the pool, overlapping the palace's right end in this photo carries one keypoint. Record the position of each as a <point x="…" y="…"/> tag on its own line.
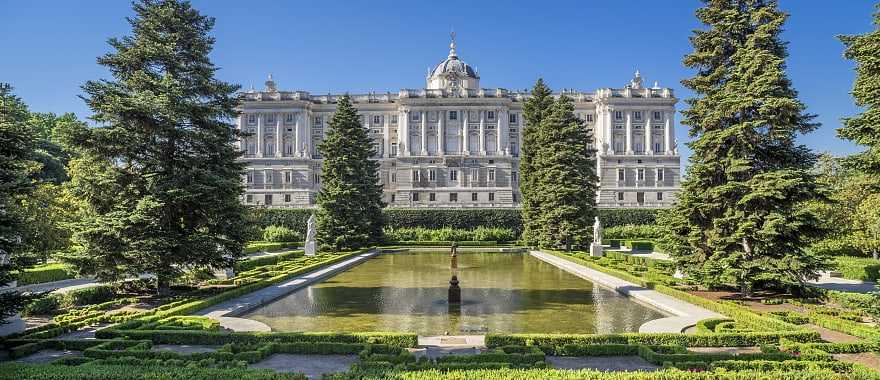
<point x="739" y="218"/>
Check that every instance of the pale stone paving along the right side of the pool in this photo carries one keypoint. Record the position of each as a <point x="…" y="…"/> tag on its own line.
<point x="684" y="314"/>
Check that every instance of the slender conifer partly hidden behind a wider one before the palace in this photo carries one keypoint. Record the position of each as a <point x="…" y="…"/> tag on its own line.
<point x="534" y="110"/>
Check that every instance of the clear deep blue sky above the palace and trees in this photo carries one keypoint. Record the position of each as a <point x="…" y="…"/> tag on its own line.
<point x="48" y="48"/>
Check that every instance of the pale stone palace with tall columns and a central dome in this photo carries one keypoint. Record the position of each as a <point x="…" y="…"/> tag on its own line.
<point x="455" y="144"/>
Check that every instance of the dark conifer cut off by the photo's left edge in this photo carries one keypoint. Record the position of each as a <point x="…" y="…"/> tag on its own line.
<point x="17" y="168"/>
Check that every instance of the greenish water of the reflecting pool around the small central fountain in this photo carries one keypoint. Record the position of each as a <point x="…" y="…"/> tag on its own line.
<point x="500" y="293"/>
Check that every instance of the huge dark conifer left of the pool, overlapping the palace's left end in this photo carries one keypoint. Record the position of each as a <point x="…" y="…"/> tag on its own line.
<point x="159" y="182"/>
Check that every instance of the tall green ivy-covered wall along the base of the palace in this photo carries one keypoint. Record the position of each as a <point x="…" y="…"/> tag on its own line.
<point x="455" y="218"/>
